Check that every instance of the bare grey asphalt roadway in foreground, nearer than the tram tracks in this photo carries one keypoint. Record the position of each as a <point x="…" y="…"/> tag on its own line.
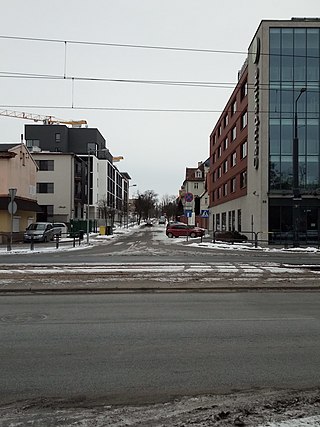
<point x="135" y="348"/>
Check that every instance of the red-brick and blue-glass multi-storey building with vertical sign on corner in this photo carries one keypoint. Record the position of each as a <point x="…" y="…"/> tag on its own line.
<point x="278" y="193"/>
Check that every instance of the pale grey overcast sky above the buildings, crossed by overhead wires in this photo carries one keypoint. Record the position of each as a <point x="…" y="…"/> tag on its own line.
<point x="157" y="146"/>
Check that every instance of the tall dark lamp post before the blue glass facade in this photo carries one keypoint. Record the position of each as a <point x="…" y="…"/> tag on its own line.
<point x="295" y="174"/>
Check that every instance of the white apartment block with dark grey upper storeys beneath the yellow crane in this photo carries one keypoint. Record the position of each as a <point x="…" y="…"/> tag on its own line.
<point x="104" y="189"/>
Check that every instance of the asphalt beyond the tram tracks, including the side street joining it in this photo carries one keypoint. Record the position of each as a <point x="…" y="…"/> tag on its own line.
<point x="150" y="244"/>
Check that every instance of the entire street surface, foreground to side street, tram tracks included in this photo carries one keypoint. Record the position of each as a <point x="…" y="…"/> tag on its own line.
<point x="143" y="319"/>
